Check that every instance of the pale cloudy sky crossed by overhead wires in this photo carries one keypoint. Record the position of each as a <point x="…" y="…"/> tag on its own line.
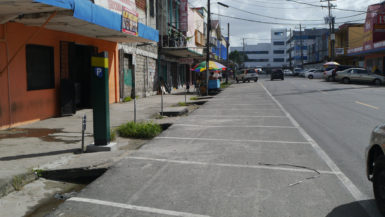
<point x="280" y="11"/>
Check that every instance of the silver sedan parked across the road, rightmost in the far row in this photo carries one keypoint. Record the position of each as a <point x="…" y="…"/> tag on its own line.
<point x="359" y="75"/>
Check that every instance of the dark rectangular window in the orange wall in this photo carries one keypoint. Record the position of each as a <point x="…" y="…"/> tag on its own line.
<point x="40" y="67"/>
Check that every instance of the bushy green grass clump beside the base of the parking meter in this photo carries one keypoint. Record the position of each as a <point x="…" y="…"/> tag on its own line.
<point x="139" y="130"/>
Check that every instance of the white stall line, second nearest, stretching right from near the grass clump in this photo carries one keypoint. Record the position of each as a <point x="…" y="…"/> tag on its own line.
<point x="261" y="166"/>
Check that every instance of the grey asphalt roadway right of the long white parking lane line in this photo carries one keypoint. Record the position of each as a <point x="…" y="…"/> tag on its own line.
<point x="340" y="117"/>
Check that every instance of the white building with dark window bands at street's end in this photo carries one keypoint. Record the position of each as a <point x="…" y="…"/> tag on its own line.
<point x="267" y="55"/>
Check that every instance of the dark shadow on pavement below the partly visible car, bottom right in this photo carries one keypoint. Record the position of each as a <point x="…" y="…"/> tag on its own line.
<point x="355" y="209"/>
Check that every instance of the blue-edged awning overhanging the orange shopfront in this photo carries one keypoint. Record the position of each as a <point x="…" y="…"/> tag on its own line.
<point x="80" y="17"/>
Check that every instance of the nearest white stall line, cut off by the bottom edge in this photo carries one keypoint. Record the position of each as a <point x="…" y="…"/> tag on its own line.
<point x="133" y="207"/>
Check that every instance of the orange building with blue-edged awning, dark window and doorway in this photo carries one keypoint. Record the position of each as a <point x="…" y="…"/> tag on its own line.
<point x="45" y="57"/>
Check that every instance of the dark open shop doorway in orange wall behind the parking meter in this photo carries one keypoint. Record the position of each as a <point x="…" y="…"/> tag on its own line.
<point x="75" y="74"/>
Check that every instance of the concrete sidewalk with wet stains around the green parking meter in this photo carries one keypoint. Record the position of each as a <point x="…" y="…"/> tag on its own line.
<point x="51" y="143"/>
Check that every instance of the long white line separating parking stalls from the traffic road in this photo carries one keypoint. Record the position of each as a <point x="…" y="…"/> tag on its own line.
<point x="356" y="193"/>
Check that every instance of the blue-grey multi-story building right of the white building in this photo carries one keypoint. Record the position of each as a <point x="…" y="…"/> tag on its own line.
<point x="307" y="46"/>
